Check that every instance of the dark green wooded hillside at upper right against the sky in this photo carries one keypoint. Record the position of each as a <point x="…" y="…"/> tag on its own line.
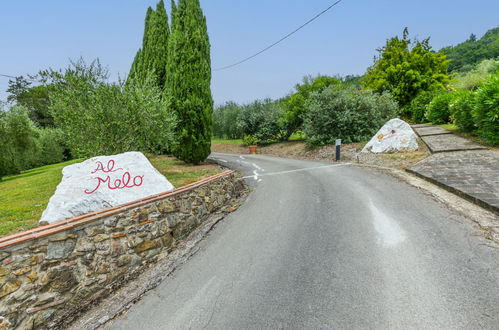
<point x="465" y="56"/>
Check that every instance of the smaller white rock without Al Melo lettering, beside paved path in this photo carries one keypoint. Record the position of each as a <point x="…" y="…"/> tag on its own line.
<point x="395" y="136"/>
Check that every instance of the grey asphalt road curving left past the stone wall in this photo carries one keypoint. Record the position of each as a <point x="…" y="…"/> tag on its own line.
<point x="329" y="246"/>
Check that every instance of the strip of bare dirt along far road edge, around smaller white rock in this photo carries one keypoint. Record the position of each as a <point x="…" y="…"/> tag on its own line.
<point x="349" y="153"/>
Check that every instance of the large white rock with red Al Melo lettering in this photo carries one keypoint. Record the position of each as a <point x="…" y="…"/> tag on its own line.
<point x="102" y="182"/>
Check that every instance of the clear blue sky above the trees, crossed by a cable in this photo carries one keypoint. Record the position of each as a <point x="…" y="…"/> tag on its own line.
<point x="40" y="34"/>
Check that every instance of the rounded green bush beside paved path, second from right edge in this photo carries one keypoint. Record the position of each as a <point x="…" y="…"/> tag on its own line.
<point x="461" y="110"/>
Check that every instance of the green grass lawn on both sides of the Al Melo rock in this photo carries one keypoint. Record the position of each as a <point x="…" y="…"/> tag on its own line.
<point x="23" y="197"/>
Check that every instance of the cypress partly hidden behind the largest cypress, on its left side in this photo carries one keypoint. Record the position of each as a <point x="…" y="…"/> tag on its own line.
<point x="151" y="59"/>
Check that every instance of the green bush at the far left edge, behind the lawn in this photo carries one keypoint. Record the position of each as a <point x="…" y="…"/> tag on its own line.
<point x="18" y="141"/>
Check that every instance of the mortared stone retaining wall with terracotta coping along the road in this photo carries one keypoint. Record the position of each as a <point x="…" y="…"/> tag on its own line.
<point x="50" y="273"/>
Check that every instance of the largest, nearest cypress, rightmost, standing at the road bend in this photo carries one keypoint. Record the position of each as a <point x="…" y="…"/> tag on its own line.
<point x="188" y="80"/>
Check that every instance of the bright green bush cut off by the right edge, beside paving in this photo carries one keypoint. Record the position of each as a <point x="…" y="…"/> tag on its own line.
<point x="486" y="111"/>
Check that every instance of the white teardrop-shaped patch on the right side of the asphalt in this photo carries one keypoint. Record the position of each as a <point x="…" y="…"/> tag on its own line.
<point x="388" y="229"/>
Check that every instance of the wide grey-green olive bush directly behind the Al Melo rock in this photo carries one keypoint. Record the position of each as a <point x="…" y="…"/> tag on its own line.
<point x="99" y="118"/>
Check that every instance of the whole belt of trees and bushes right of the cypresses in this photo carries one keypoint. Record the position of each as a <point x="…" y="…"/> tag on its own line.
<point x="408" y="79"/>
